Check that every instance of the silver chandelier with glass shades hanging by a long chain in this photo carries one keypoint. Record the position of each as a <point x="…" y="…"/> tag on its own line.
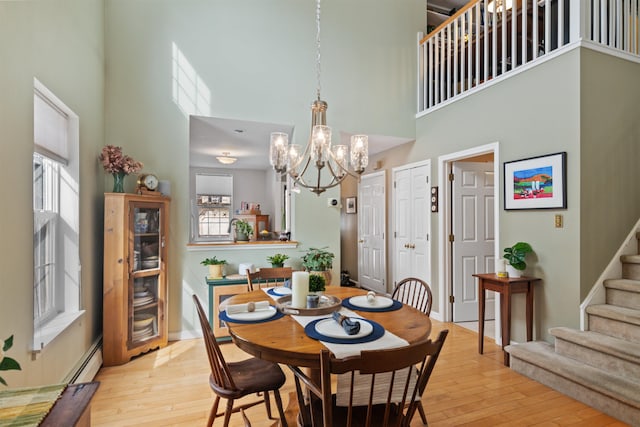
<point x="299" y="165"/>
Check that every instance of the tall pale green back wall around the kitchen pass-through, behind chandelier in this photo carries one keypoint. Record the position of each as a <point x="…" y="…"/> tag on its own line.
<point x="257" y="60"/>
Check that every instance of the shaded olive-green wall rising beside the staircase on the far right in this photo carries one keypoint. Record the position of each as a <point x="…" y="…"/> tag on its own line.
<point x="610" y="134"/>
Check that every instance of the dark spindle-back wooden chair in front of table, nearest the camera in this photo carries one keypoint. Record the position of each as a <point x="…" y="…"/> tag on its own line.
<point x="391" y="396"/>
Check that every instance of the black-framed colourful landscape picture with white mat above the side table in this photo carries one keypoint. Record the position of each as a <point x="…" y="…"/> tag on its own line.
<point x="536" y="183"/>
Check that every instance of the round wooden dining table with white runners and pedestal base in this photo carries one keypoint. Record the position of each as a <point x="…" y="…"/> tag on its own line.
<point x="287" y="339"/>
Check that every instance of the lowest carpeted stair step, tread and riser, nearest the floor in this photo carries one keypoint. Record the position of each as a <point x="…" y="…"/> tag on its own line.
<point x="611" y="394"/>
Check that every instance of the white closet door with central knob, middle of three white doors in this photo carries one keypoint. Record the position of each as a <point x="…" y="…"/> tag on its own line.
<point x="412" y="222"/>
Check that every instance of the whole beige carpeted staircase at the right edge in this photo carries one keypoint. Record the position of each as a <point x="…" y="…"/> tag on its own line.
<point x="600" y="366"/>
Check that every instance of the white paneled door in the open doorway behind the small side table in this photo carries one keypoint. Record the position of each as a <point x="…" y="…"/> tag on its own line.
<point x="474" y="236"/>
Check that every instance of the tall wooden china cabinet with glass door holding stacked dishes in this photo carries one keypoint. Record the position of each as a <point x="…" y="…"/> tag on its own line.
<point x="135" y="275"/>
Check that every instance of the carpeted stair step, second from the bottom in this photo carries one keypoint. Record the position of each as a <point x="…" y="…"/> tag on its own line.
<point x="598" y="350"/>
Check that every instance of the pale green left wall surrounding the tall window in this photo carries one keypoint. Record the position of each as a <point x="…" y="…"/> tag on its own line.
<point x="61" y="44"/>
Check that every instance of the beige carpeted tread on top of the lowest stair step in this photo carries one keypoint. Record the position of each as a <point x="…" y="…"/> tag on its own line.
<point x="543" y="355"/>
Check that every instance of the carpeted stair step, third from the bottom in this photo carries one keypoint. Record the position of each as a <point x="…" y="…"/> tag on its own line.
<point x="620" y="322"/>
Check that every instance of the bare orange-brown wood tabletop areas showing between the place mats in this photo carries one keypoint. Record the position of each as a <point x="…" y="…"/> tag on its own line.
<point x="285" y="341"/>
